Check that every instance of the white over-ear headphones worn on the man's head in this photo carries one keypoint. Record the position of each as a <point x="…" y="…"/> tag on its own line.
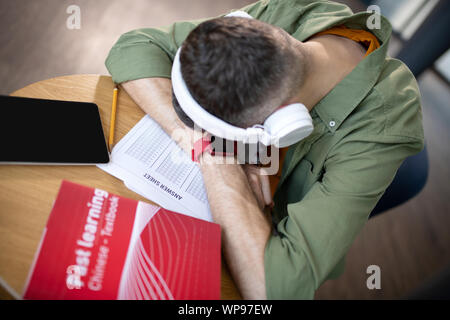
<point x="283" y="128"/>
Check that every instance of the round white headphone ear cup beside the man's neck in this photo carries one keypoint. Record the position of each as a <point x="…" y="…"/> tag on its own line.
<point x="289" y="125"/>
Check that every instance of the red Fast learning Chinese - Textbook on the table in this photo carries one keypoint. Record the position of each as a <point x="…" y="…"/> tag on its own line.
<point x="97" y="245"/>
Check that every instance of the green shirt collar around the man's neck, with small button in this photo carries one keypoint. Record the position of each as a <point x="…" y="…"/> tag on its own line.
<point x="335" y="107"/>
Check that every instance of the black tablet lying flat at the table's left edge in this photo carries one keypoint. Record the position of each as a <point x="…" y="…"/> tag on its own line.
<point x="39" y="131"/>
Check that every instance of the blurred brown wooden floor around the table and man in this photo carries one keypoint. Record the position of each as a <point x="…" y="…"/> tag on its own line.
<point x="410" y="243"/>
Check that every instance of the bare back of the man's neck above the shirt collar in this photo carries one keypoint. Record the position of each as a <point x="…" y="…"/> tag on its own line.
<point x="329" y="59"/>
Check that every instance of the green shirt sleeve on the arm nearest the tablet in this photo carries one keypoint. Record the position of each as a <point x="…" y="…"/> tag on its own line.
<point x="149" y="52"/>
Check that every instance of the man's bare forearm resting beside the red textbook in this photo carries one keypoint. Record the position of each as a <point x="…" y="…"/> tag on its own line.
<point x="245" y="229"/>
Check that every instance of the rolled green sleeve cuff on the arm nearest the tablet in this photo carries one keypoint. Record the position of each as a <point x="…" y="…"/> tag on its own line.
<point x="139" y="61"/>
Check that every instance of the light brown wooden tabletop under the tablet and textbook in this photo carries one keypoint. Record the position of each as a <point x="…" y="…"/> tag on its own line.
<point x="27" y="192"/>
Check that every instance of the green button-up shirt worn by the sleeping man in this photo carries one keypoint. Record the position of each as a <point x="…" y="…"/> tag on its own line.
<point x="363" y="130"/>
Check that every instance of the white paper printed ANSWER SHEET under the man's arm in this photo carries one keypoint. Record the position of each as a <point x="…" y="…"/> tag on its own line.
<point x="151" y="164"/>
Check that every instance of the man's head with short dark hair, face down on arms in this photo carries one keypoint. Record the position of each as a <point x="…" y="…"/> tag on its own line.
<point x="240" y="69"/>
